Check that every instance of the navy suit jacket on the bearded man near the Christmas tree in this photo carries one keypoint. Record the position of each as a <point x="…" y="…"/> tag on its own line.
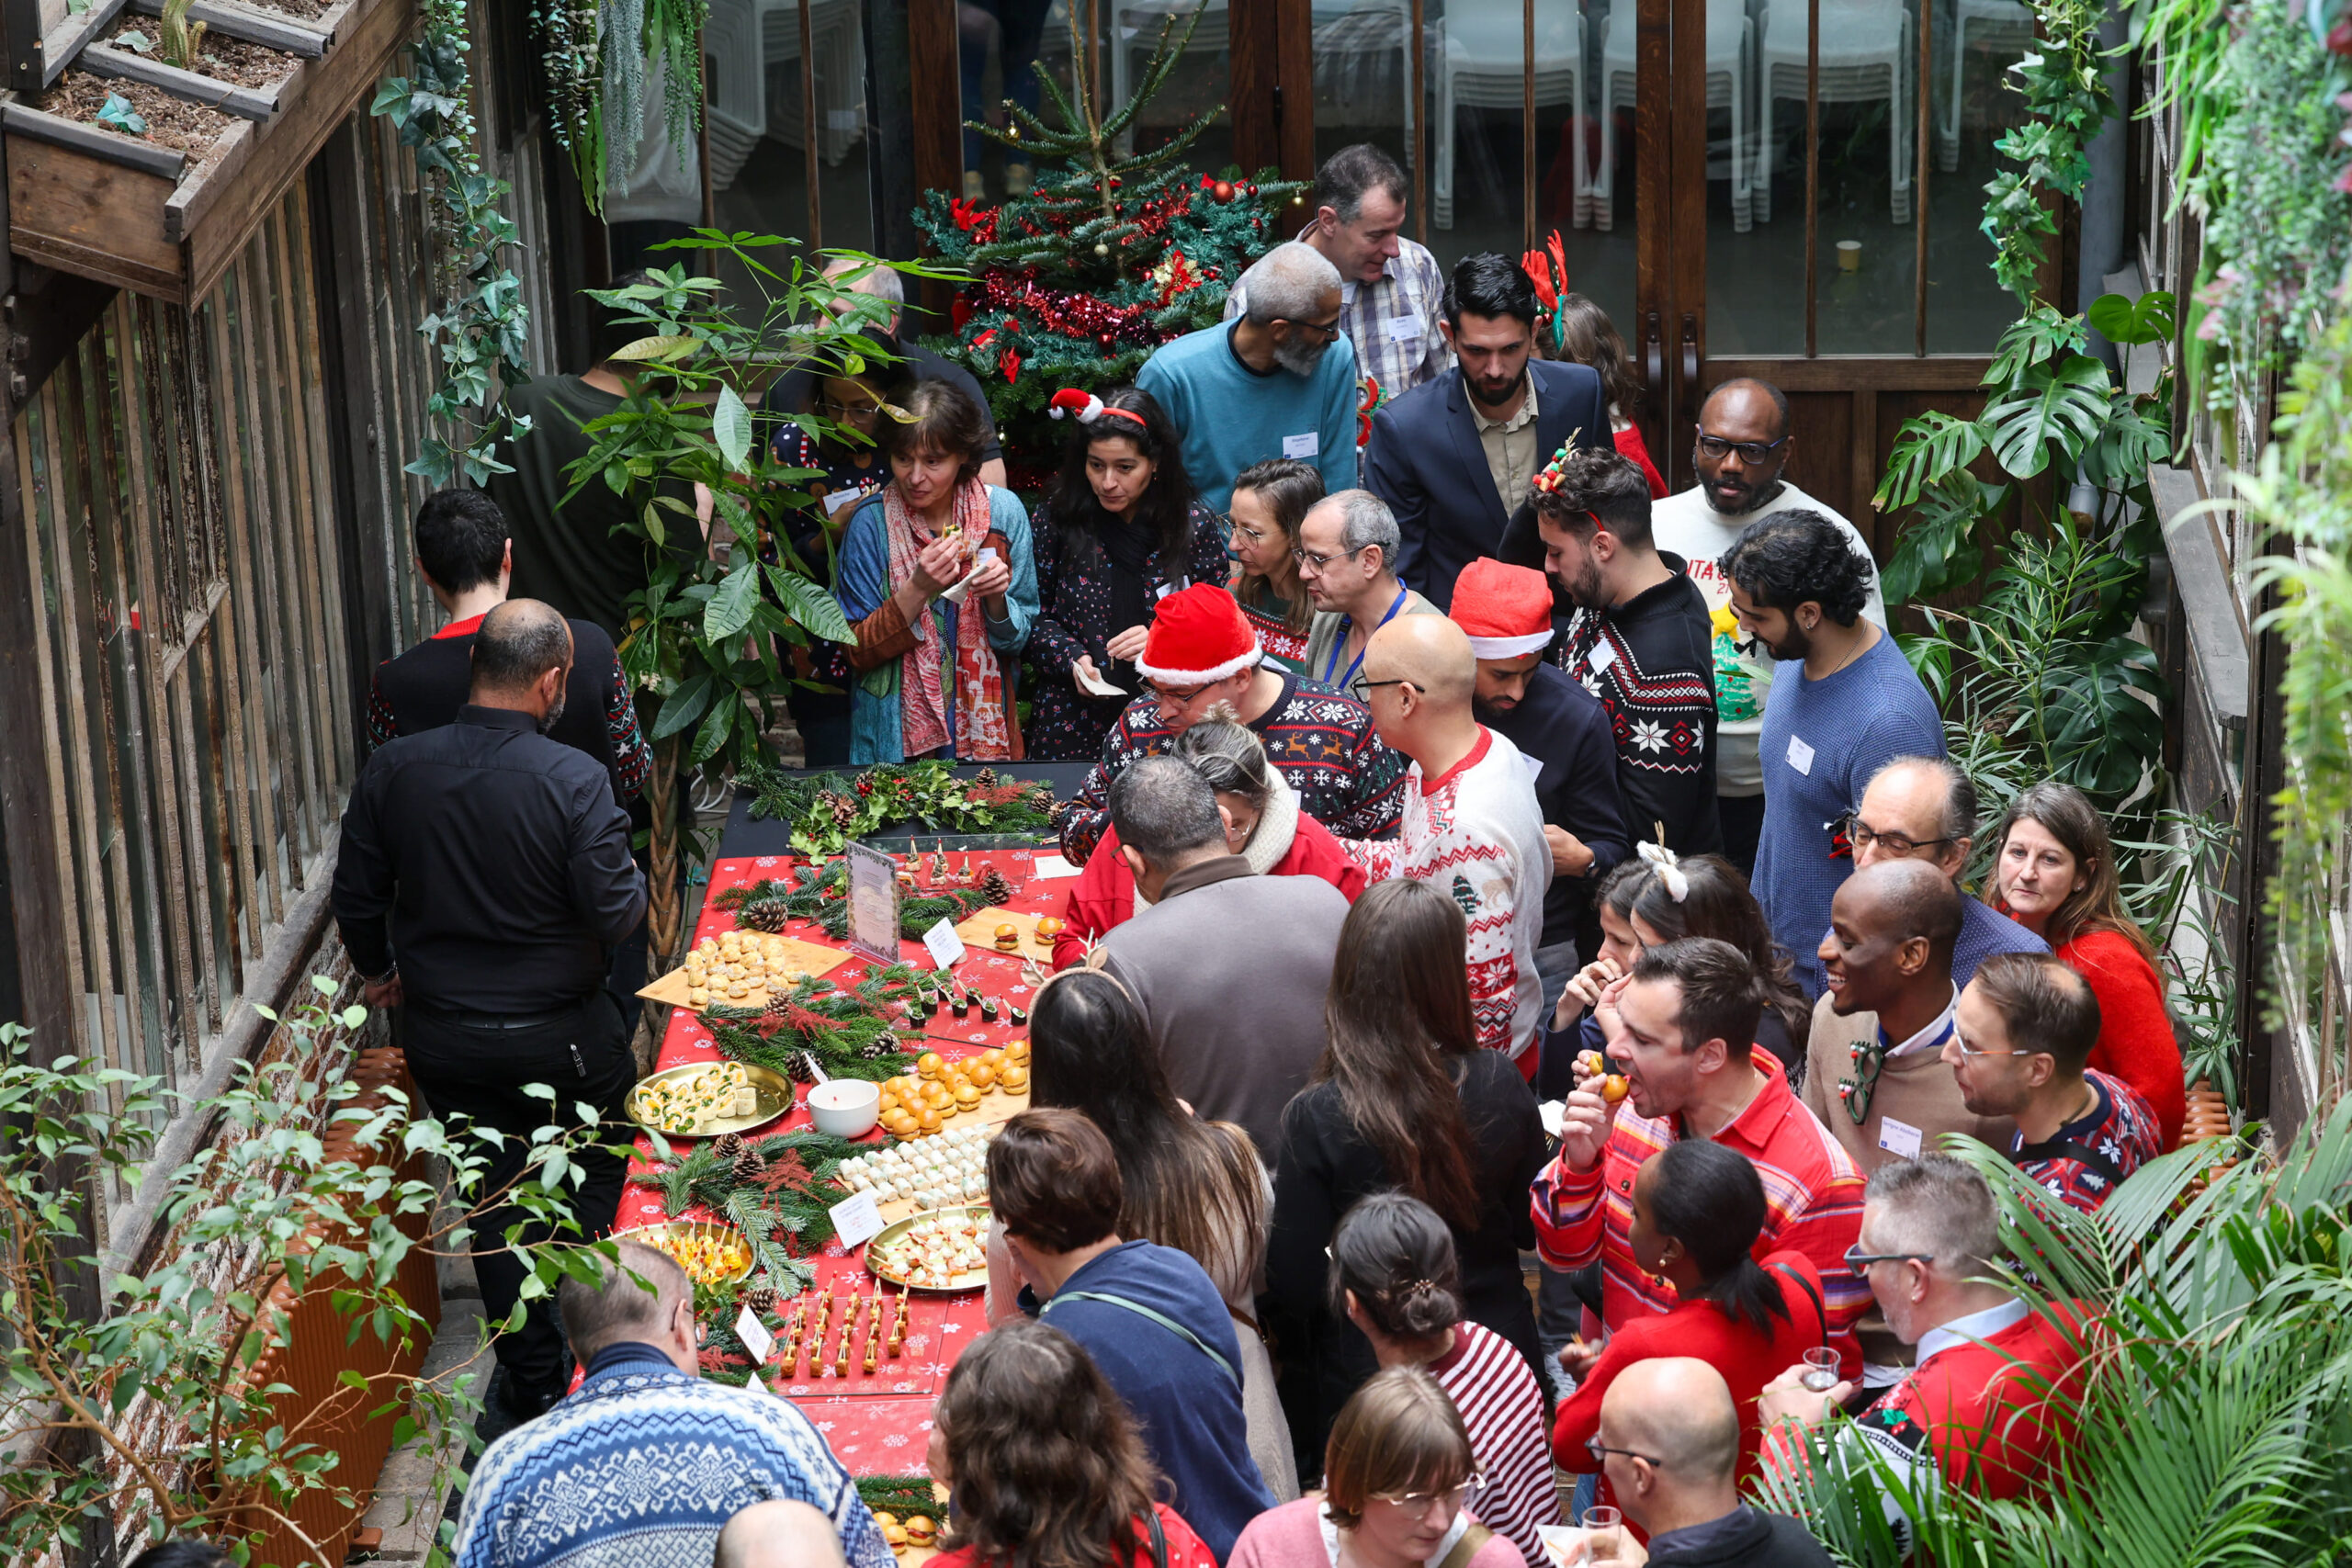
<point x="1426" y="464"/>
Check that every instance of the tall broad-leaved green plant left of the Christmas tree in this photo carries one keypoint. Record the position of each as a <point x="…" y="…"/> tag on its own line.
<point x="707" y="631"/>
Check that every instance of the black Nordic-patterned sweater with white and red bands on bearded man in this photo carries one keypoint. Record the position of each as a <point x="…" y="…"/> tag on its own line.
<point x="1652" y="666"/>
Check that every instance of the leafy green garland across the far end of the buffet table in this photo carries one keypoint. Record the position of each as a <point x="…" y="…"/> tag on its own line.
<point x="831" y="810"/>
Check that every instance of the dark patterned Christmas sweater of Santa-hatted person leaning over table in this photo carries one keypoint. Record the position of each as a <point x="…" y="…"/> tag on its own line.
<point x="1323" y="744"/>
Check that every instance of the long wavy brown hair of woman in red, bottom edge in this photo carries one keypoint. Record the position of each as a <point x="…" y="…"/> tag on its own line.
<point x="1045" y="1461"/>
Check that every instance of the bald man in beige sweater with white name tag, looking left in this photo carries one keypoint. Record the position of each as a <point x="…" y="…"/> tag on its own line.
<point x="1876" y="1068"/>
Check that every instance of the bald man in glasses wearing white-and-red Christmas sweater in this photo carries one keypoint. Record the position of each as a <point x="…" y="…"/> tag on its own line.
<point x="1471" y="819"/>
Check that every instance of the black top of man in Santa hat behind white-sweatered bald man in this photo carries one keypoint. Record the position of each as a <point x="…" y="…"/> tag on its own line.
<point x="1563" y="728"/>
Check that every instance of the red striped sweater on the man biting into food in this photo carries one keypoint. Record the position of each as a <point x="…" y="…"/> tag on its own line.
<point x="1812" y="1205"/>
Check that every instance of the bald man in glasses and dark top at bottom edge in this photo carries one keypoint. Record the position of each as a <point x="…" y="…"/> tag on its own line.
<point x="1671" y="1447"/>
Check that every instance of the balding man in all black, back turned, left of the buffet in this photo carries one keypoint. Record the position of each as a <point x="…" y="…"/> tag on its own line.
<point x="483" y="885"/>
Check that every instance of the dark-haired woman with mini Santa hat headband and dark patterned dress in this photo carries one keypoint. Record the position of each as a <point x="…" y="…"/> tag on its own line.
<point x="1118" y="532"/>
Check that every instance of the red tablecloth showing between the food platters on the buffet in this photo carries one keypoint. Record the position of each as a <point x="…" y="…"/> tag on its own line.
<point x="876" y="1426"/>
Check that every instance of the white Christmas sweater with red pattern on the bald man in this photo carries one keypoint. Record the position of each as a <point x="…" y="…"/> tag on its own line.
<point x="1476" y="831"/>
